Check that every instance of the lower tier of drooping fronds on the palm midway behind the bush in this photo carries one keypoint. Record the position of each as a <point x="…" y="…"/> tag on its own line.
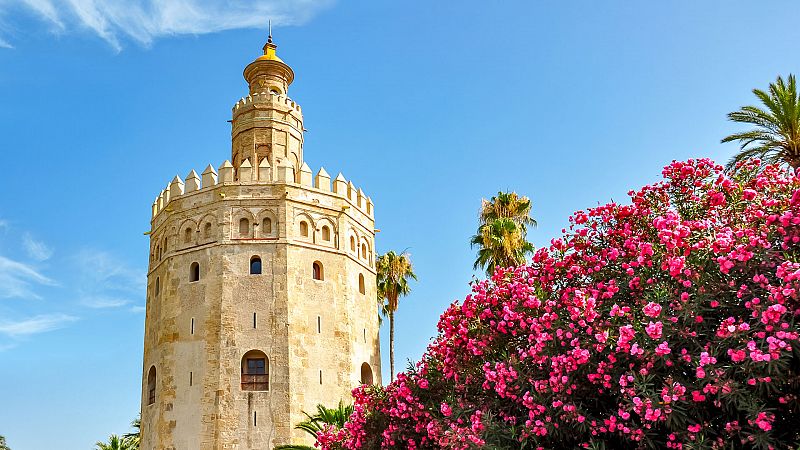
<point x="501" y="243"/>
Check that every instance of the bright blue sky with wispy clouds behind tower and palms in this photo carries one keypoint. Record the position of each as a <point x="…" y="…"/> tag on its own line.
<point x="429" y="106"/>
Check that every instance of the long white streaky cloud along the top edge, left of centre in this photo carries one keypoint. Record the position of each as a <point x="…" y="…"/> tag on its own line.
<point x="144" y="21"/>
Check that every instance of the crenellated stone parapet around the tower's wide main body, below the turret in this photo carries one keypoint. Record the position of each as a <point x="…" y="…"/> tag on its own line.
<point x="264" y="174"/>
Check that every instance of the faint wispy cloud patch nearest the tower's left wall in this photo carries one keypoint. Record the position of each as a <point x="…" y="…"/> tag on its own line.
<point x="105" y="281"/>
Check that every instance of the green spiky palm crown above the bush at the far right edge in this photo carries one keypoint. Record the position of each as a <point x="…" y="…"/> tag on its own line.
<point x="776" y="136"/>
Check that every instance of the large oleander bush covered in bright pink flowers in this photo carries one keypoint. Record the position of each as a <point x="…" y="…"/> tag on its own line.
<point x="669" y="322"/>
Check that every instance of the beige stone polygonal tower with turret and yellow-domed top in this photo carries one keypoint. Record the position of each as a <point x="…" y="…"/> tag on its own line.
<point x="261" y="290"/>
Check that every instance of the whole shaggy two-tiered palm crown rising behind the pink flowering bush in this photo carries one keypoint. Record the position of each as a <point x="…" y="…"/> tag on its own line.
<point x="503" y="225"/>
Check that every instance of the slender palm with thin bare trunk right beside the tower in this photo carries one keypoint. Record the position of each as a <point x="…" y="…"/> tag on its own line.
<point x="394" y="273"/>
